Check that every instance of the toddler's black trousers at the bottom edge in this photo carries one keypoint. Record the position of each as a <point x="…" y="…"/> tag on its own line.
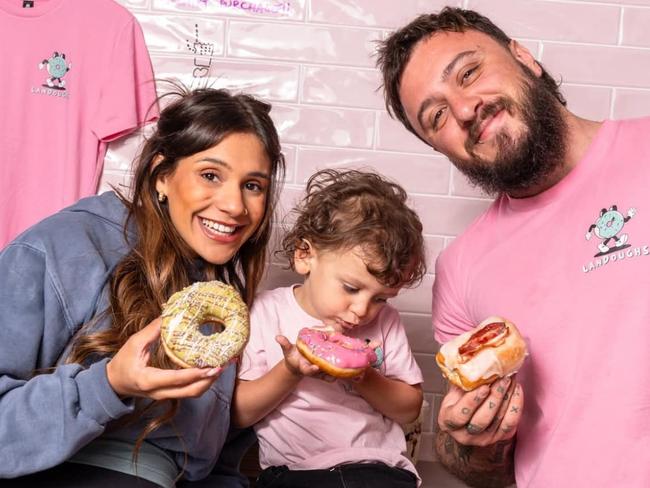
<point x="362" y="475"/>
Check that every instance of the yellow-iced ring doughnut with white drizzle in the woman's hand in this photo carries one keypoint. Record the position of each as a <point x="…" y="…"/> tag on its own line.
<point x="204" y="325"/>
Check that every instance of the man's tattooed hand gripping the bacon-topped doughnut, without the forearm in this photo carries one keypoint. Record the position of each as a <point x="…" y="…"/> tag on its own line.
<point x="483" y="416"/>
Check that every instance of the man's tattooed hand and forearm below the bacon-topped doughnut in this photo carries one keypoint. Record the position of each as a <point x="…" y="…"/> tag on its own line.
<point x="476" y="438"/>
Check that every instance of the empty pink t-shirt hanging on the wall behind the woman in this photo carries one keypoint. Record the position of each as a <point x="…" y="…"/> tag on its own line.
<point x="77" y="75"/>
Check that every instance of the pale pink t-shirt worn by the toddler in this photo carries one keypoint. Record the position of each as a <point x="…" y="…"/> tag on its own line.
<point x="321" y="424"/>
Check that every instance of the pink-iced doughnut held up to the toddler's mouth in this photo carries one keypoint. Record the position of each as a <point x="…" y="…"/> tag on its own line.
<point x="337" y="354"/>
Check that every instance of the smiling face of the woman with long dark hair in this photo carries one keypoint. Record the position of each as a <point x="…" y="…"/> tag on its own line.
<point x="217" y="197"/>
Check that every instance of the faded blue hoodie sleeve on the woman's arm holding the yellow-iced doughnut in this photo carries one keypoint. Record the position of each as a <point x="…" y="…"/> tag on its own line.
<point x="44" y="419"/>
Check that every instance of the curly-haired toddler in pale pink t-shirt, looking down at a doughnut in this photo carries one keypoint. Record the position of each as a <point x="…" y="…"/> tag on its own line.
<point x="356" y="243"/>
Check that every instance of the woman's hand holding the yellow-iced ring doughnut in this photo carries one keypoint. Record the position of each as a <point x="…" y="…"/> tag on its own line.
<point x="129" y="374"/>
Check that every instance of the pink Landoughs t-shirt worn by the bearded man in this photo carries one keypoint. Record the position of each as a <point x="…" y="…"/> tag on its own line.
<point x="571" y="267"/>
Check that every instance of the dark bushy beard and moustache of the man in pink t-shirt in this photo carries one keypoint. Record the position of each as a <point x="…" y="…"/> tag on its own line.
<point x="523" y="163"/>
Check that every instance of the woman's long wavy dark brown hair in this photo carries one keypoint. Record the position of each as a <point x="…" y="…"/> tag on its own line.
<point x="160" y="262"/>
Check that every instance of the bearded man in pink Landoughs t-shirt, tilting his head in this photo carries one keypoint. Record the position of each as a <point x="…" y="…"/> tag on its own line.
<point x="564" y="252"/>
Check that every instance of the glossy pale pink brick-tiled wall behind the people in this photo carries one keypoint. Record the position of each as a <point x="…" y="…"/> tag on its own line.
<point x="313" y="60"/>
